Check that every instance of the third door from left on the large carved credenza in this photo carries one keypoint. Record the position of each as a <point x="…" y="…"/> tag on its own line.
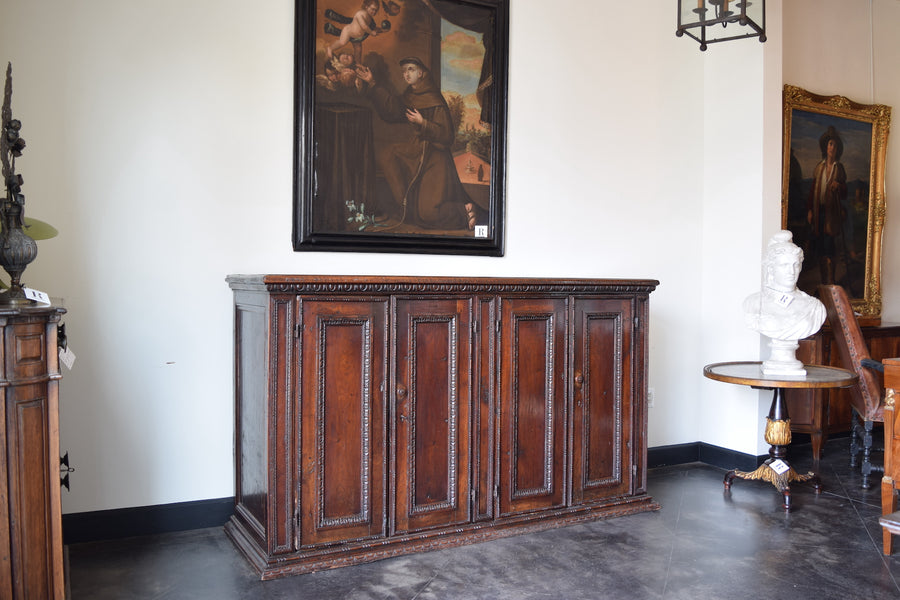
<point x="532" y="404"/>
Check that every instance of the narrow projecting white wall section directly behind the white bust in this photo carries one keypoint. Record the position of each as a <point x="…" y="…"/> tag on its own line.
<point x="739" y="183"/>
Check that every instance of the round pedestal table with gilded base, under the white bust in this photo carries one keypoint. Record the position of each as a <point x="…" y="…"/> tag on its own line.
<point x="776" y="469"/>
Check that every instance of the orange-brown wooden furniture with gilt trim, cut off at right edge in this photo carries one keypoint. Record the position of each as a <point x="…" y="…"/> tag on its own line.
<point x="890" y="483"/>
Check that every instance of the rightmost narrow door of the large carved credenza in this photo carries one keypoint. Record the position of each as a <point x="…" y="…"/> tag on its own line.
<point x="602" y="390"/>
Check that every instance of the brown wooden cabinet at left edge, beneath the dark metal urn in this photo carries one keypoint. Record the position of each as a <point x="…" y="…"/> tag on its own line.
<point x="31" y="548"/>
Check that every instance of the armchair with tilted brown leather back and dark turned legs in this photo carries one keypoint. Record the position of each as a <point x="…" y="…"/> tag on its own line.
<point x="867" y="396"/>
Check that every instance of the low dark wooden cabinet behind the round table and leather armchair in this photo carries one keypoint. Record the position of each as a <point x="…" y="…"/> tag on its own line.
<point x="822" y="412"/>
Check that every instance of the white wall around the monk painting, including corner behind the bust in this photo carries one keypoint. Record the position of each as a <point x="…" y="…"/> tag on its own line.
<point x="159" y="144"/>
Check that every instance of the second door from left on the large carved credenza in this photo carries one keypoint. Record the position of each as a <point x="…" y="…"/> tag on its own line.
<point x="431" y="412"/>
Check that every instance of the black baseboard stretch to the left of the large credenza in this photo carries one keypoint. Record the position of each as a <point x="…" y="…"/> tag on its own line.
<point x="145" y="520"/>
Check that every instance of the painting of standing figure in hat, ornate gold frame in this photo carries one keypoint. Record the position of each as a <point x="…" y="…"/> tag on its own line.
<point x="833" y="192"/>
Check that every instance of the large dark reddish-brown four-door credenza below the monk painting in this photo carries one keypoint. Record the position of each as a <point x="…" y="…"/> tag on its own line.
<point x="378" y="416"/>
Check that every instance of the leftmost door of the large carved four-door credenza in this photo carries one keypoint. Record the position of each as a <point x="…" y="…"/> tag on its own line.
<point x="342" y="420"/>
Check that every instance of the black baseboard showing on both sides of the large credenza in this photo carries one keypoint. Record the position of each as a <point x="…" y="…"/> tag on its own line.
<point x="182" y="516"/>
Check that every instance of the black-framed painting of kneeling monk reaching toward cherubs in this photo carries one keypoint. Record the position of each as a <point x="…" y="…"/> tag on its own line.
<point x="400" y="126"/>
